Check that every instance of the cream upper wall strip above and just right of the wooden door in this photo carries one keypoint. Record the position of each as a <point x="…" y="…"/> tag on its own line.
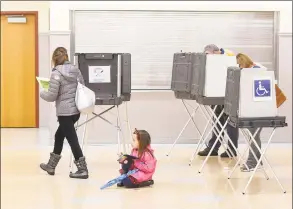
<point x="41" y="6"/>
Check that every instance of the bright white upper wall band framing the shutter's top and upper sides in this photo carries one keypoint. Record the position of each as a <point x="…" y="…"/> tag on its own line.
<point x="59" y="10"/>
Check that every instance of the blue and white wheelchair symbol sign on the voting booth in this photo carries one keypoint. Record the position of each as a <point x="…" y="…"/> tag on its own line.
<point x="262" y="90"/>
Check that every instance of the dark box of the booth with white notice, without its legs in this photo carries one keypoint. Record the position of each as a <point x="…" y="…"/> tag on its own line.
<point x="108" y="75"/>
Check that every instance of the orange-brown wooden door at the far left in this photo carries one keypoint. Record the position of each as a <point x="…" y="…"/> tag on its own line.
<point x="19" y="96"/>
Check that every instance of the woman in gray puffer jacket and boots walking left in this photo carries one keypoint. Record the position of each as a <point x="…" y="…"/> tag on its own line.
<point x="62" y="90"/>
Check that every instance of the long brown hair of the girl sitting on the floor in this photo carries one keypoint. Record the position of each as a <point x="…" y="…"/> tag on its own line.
<point x="144" y="140"/>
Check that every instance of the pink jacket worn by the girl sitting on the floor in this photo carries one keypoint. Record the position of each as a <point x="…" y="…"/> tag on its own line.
<point x="146" y="165"/>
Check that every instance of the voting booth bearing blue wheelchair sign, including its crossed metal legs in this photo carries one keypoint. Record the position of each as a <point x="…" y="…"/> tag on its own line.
<point x="250" y="102"/>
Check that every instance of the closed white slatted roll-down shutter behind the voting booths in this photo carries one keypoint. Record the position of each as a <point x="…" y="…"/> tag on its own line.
<point x="152" y="37"/>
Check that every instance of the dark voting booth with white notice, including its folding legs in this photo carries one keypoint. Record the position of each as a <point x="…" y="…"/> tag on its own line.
<point x="109" y="76"/>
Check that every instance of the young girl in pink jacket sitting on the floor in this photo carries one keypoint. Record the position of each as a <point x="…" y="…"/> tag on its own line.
<point x="141" y="158"/>
